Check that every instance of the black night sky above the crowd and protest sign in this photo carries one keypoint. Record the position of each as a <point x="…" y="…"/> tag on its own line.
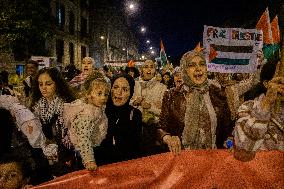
<point x="179" y="23"/>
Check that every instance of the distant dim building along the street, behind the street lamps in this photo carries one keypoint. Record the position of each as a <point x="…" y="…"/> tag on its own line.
<point x="113" y="40"/>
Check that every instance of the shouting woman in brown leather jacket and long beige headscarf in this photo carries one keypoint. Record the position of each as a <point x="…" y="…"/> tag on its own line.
<point x="194" y="117"/>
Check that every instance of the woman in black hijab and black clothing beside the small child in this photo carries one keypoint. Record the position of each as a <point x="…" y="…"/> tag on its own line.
<point x="124" y="121"/>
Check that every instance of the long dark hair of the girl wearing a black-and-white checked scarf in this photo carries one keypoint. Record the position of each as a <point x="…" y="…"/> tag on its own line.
<point x="63" y="90"/>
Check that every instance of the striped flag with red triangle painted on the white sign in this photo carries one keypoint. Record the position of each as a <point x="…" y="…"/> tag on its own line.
<point x="230" y="55"/>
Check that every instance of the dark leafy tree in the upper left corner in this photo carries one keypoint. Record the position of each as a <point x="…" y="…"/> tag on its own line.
<point x="24" y="27"/>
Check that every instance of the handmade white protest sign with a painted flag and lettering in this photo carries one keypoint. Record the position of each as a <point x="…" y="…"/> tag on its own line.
<point x="232" y="50"/>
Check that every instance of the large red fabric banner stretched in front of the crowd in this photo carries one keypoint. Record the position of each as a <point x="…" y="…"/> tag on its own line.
<point x="192" y="169"/>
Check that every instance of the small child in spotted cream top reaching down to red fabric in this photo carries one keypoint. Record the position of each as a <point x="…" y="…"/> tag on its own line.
<point x="86" y="118"/>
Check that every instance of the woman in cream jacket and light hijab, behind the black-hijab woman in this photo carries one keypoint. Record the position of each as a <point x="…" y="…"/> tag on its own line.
<point x="147" y="97"/>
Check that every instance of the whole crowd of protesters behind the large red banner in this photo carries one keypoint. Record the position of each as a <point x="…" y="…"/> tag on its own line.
<point x="66" y="121"/>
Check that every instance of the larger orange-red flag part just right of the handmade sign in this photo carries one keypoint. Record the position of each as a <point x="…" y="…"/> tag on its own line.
<point x="264" y="25"/>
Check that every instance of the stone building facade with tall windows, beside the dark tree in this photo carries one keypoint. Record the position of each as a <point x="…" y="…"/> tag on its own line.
<point x="71" y="28"/>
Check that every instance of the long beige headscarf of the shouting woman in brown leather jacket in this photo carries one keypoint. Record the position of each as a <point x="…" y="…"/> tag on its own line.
<point x="195" y="99"/>
